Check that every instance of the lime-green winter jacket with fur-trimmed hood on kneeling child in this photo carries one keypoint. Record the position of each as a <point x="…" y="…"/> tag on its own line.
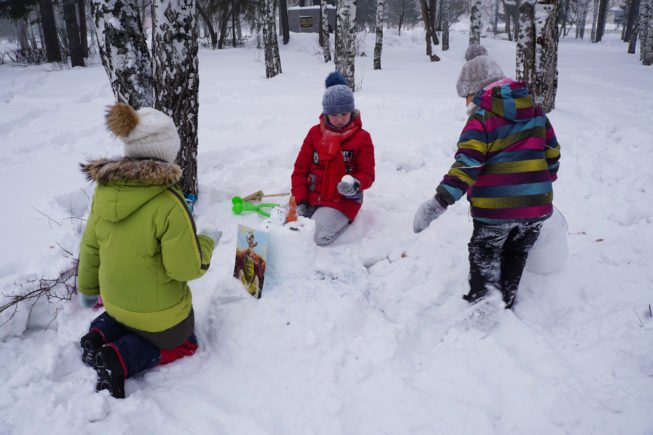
<point x="140" y="245"/>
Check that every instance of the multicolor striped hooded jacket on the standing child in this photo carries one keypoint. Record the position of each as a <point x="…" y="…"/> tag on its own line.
<point x="507" y="157"/>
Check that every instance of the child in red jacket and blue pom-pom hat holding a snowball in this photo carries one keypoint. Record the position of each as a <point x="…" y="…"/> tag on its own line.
<point x="335" y="164"/>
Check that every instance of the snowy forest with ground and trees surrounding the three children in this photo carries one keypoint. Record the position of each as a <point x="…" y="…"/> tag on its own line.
<point x="370" y="334"/>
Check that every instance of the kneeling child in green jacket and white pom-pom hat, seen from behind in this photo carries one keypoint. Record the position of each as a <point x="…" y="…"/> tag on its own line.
<point x="138" y="251"/>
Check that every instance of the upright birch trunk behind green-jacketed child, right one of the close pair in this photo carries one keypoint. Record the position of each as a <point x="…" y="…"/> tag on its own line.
<point x="176" y="79"/>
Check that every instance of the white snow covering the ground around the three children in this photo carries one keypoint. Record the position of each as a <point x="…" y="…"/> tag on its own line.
<point x="369" y="336"/>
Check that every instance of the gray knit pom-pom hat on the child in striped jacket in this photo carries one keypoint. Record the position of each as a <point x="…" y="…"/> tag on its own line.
<point x="479" y="71"/>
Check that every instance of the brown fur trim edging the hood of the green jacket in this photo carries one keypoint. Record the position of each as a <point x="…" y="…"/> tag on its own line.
<point x="146" y="171"/>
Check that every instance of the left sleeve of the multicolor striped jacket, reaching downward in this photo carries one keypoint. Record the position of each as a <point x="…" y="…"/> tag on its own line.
<point x="469" y="160"/>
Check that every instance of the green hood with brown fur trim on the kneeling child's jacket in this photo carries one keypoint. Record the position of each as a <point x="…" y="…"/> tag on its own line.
<point x="125" y="185"/>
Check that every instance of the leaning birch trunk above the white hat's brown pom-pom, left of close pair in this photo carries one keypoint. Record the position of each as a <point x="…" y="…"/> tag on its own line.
<point x="123" y="51"/>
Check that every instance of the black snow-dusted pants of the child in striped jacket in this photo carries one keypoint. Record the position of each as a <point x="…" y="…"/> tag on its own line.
<point x="497" y="256"/>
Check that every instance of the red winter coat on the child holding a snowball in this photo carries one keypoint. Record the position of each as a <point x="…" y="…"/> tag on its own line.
<point x="326" y="155"/>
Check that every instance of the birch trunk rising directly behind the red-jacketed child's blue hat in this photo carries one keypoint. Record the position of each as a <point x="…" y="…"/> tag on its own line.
<point x="345" y="47"/>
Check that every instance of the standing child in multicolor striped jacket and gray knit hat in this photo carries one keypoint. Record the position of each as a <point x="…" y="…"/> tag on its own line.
<point x="506" y="162"/>
